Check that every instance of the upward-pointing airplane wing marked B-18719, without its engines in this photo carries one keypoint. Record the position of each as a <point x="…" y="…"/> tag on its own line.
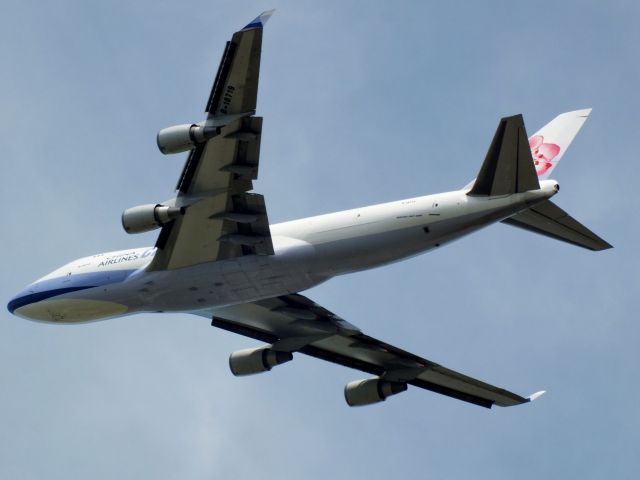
<point x="221" y="219"/>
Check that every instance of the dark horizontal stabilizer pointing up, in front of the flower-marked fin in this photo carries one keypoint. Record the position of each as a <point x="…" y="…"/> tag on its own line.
<point x="508" y="167"/>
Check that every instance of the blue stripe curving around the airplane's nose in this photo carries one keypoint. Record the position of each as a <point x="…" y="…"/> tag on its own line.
<point x="53" y="287"/>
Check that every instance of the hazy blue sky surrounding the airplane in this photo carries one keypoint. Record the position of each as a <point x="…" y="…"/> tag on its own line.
<point x="363" y="103"/>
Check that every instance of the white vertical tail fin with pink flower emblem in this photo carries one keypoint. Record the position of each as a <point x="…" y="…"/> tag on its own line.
<point x="550" y="142"/>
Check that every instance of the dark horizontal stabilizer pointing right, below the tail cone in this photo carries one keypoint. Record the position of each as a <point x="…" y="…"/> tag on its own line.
<point x="548" y="219"/>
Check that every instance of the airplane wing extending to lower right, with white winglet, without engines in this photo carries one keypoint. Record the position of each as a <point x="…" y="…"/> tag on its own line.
<point x="294" y="323"/>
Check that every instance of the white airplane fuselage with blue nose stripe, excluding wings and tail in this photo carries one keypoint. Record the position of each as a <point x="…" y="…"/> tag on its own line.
<point x="307" y="252"/>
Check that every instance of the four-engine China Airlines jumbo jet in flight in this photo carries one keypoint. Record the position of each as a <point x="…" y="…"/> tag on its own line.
<point x="217" y="256"/>
